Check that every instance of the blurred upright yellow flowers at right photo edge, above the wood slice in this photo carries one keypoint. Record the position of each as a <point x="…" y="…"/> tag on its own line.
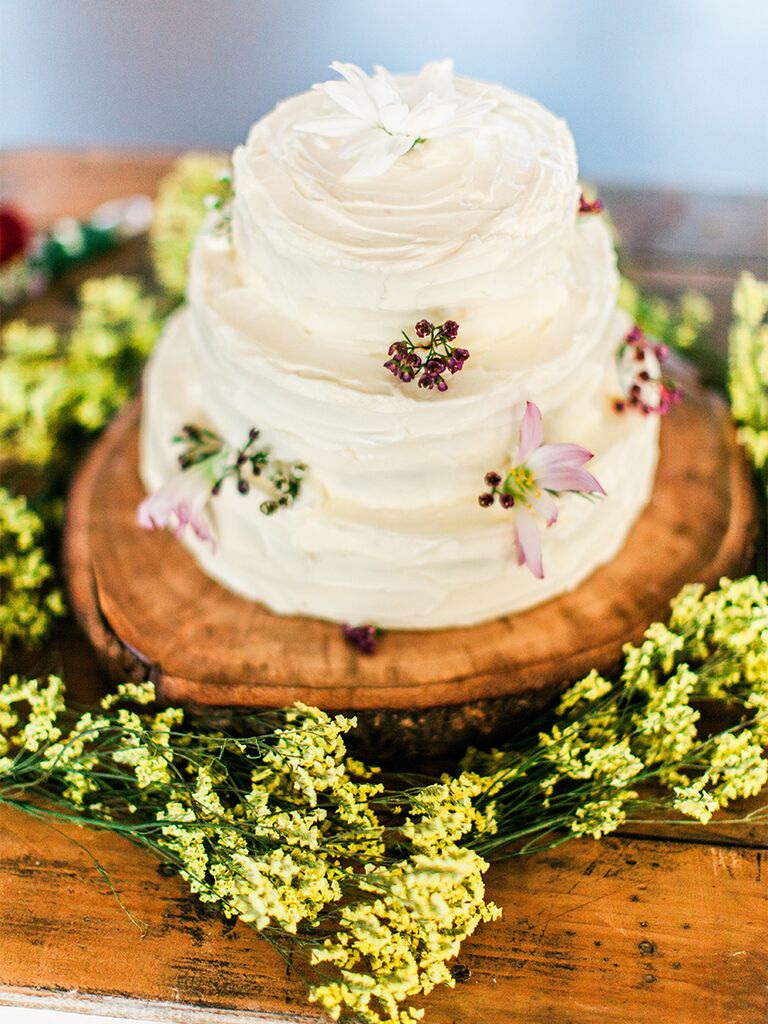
<point x="748" y="366"/>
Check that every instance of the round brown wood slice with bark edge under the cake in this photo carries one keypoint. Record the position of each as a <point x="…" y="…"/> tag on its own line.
<point x="149" y="609"/>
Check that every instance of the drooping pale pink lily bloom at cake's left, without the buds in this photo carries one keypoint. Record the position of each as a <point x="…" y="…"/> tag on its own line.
<point x="181" y="502"/>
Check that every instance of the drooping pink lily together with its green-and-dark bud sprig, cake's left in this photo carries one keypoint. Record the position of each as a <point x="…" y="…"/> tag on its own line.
<point x="206" y="462"/>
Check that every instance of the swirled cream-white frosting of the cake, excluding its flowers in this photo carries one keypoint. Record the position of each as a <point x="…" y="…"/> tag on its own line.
<point x="288" y="329"/>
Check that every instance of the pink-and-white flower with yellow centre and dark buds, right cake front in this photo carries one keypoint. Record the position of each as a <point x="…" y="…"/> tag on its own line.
<point x="539" y="475"/>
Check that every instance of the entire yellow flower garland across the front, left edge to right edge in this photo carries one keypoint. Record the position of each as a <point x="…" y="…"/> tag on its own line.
<point x="380" y="887"/>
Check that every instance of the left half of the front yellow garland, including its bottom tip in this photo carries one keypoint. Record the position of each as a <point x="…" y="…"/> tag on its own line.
<point x="281" y="830"/>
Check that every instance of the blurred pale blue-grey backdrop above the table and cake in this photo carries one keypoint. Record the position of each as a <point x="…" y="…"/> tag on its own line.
<point x="661" y="93"/>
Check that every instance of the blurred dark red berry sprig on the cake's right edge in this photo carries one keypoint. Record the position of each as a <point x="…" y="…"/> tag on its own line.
<point x="642" y="377"/>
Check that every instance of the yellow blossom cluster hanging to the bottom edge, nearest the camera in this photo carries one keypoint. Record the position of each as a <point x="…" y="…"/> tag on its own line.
<point x="410" y="917"/>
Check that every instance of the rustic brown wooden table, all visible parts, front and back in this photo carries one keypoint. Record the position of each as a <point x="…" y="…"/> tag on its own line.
<point x="668" y="925"/>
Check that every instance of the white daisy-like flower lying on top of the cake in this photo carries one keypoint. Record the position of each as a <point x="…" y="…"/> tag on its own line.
<point x="383" y="118"/>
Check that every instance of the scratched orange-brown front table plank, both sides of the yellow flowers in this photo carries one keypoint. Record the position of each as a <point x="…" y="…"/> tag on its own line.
<point x="616" y="932"/>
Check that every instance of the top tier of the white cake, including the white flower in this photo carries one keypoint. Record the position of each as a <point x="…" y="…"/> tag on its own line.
<point x="405" y="168"/>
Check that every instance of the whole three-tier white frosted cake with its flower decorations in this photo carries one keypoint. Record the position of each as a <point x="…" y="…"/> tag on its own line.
<point x="401" y="349"/>
